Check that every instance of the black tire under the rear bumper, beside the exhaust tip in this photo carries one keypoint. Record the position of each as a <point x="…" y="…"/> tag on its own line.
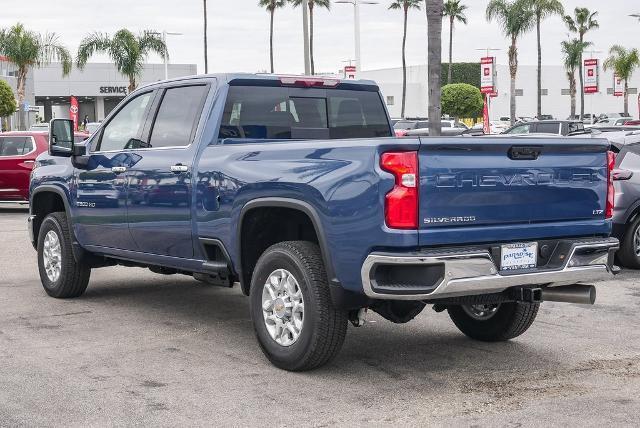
<point x="509" y="320"/>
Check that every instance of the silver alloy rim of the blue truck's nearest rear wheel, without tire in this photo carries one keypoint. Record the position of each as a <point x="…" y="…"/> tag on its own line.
<point x="283" y="307"/>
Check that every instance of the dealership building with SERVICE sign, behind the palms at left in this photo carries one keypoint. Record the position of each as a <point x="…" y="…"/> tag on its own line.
<point x="98" y="87"/>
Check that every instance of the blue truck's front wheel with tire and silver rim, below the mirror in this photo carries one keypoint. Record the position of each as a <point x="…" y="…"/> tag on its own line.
<point x="60" y="274"/>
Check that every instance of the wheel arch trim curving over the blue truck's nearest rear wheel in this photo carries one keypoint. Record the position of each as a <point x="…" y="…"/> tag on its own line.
<point x="302" y="207"/>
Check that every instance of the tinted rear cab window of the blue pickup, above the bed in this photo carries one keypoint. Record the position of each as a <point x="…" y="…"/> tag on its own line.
<point x="280" y="113"/>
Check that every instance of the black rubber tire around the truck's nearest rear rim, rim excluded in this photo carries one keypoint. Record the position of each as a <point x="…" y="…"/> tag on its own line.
<point x="324" y="327"/>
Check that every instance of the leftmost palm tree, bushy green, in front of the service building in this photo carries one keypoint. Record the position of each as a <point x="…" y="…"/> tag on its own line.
<point x="26" y="49"/>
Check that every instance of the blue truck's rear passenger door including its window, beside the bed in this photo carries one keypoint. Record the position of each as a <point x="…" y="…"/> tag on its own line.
<point x="160" y="183"/>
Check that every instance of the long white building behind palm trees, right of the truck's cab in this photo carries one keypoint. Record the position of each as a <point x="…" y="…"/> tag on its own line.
<point x="555" y="92"/>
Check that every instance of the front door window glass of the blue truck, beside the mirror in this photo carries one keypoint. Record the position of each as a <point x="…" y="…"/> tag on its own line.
<point x="123" y="130"/>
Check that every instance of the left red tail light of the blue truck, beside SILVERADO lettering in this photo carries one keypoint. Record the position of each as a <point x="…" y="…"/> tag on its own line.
<point x="401" y="203"/>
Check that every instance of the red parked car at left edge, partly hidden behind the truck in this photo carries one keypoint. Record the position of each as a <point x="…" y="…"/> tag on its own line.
<point x="18" y="151"/>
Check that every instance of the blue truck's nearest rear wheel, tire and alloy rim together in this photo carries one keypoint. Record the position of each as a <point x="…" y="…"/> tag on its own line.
<point x="293" y="316"/>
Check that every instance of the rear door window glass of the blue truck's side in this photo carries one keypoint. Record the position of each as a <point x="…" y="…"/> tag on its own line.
<point x="177" y="116"/>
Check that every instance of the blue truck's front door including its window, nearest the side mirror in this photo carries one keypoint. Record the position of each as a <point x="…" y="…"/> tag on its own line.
<point x="101" y="188"/>
